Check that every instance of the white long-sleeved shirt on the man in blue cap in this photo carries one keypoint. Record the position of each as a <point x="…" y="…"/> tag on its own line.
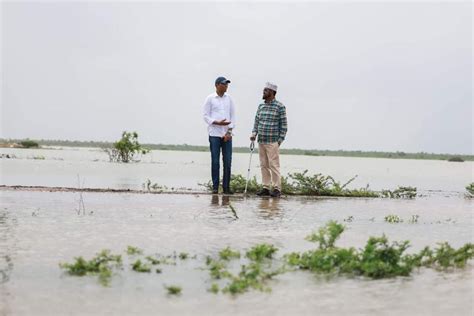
<point x="217" y="108"/>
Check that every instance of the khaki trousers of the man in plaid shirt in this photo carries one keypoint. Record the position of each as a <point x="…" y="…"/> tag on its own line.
<point x="270" y="165"/>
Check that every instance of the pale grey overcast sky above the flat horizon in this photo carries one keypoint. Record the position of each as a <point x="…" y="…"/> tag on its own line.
<point x="356" y="76"/>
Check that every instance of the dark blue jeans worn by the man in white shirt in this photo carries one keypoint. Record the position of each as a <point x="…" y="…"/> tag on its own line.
<point x="216" y="143"/>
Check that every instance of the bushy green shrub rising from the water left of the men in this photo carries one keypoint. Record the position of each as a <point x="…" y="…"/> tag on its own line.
<point x="126" y="148"/>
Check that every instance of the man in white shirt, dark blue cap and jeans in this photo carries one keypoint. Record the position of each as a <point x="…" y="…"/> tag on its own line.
<point x="219" y="115"/>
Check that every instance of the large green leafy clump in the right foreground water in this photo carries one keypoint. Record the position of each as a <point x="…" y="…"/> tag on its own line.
<point x="378" y="259"/>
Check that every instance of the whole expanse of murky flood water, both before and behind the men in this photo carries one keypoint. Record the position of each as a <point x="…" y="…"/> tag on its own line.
<point x="38" y="230"/>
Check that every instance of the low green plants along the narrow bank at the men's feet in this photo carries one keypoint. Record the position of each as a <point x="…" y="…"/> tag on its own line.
<point x="301" y="183"/>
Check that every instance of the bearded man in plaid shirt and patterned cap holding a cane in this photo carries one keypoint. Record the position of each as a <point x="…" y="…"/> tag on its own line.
<point x="270" y="126"/>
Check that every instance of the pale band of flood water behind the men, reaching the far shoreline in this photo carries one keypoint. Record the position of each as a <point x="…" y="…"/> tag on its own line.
<point x="187" y="169"/>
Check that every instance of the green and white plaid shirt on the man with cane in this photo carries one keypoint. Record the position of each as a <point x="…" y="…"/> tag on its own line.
<point x="270" y="122"/>
